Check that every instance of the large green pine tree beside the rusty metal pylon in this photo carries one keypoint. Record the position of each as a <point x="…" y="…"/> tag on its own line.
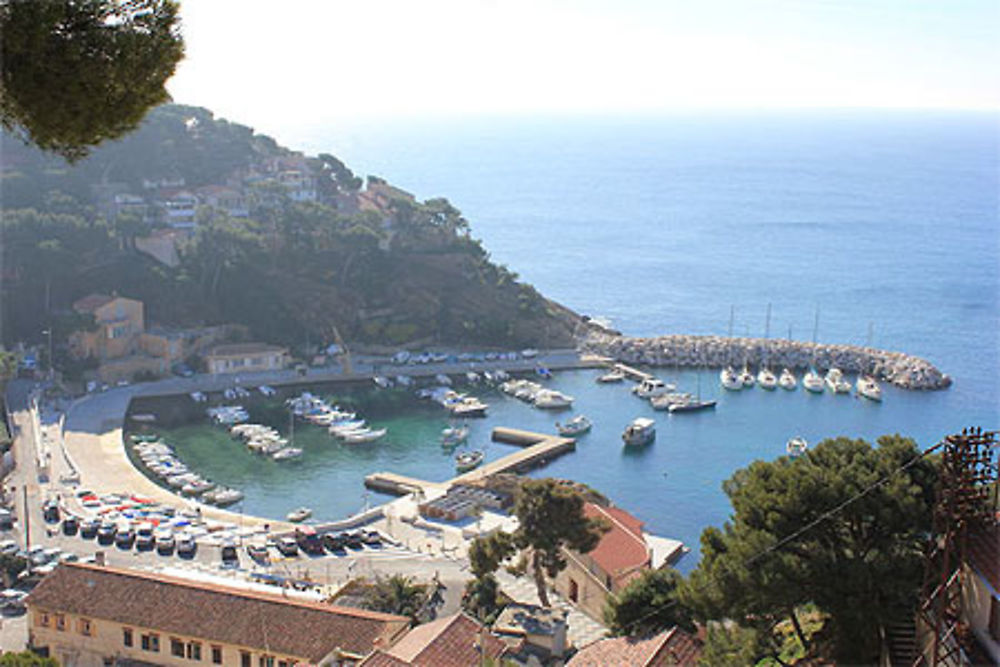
<point x="842" y="527"/>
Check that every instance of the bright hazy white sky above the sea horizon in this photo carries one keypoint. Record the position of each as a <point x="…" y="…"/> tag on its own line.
<point x="270" y="64"/>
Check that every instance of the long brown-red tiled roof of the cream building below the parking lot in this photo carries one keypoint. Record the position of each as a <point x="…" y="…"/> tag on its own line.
<point x="213" y="613"/>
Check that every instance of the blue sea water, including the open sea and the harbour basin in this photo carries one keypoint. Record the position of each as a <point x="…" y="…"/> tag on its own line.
<point x="881" y="220"/>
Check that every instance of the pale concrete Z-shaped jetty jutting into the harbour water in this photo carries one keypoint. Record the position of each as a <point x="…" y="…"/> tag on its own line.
<point x="538" y="449"/>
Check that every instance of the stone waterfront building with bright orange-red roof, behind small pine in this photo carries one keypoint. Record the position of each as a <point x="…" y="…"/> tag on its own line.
<point x="621" y="556"/>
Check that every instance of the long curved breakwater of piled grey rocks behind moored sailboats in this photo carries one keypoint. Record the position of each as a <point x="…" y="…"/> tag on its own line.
<point x="902" y="370"/>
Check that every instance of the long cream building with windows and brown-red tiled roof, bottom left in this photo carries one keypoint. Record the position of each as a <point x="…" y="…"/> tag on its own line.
<point x="90" y="615"/>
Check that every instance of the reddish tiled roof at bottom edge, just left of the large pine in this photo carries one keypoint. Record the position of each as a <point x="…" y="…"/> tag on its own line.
<point x="673" y="647"/>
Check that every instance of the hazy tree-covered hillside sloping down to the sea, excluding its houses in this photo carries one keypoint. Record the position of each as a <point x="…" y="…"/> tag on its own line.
<point x="291" y="271"/>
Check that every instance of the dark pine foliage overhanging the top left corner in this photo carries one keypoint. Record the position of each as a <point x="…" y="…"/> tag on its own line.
<point x="74" y="73"/>
